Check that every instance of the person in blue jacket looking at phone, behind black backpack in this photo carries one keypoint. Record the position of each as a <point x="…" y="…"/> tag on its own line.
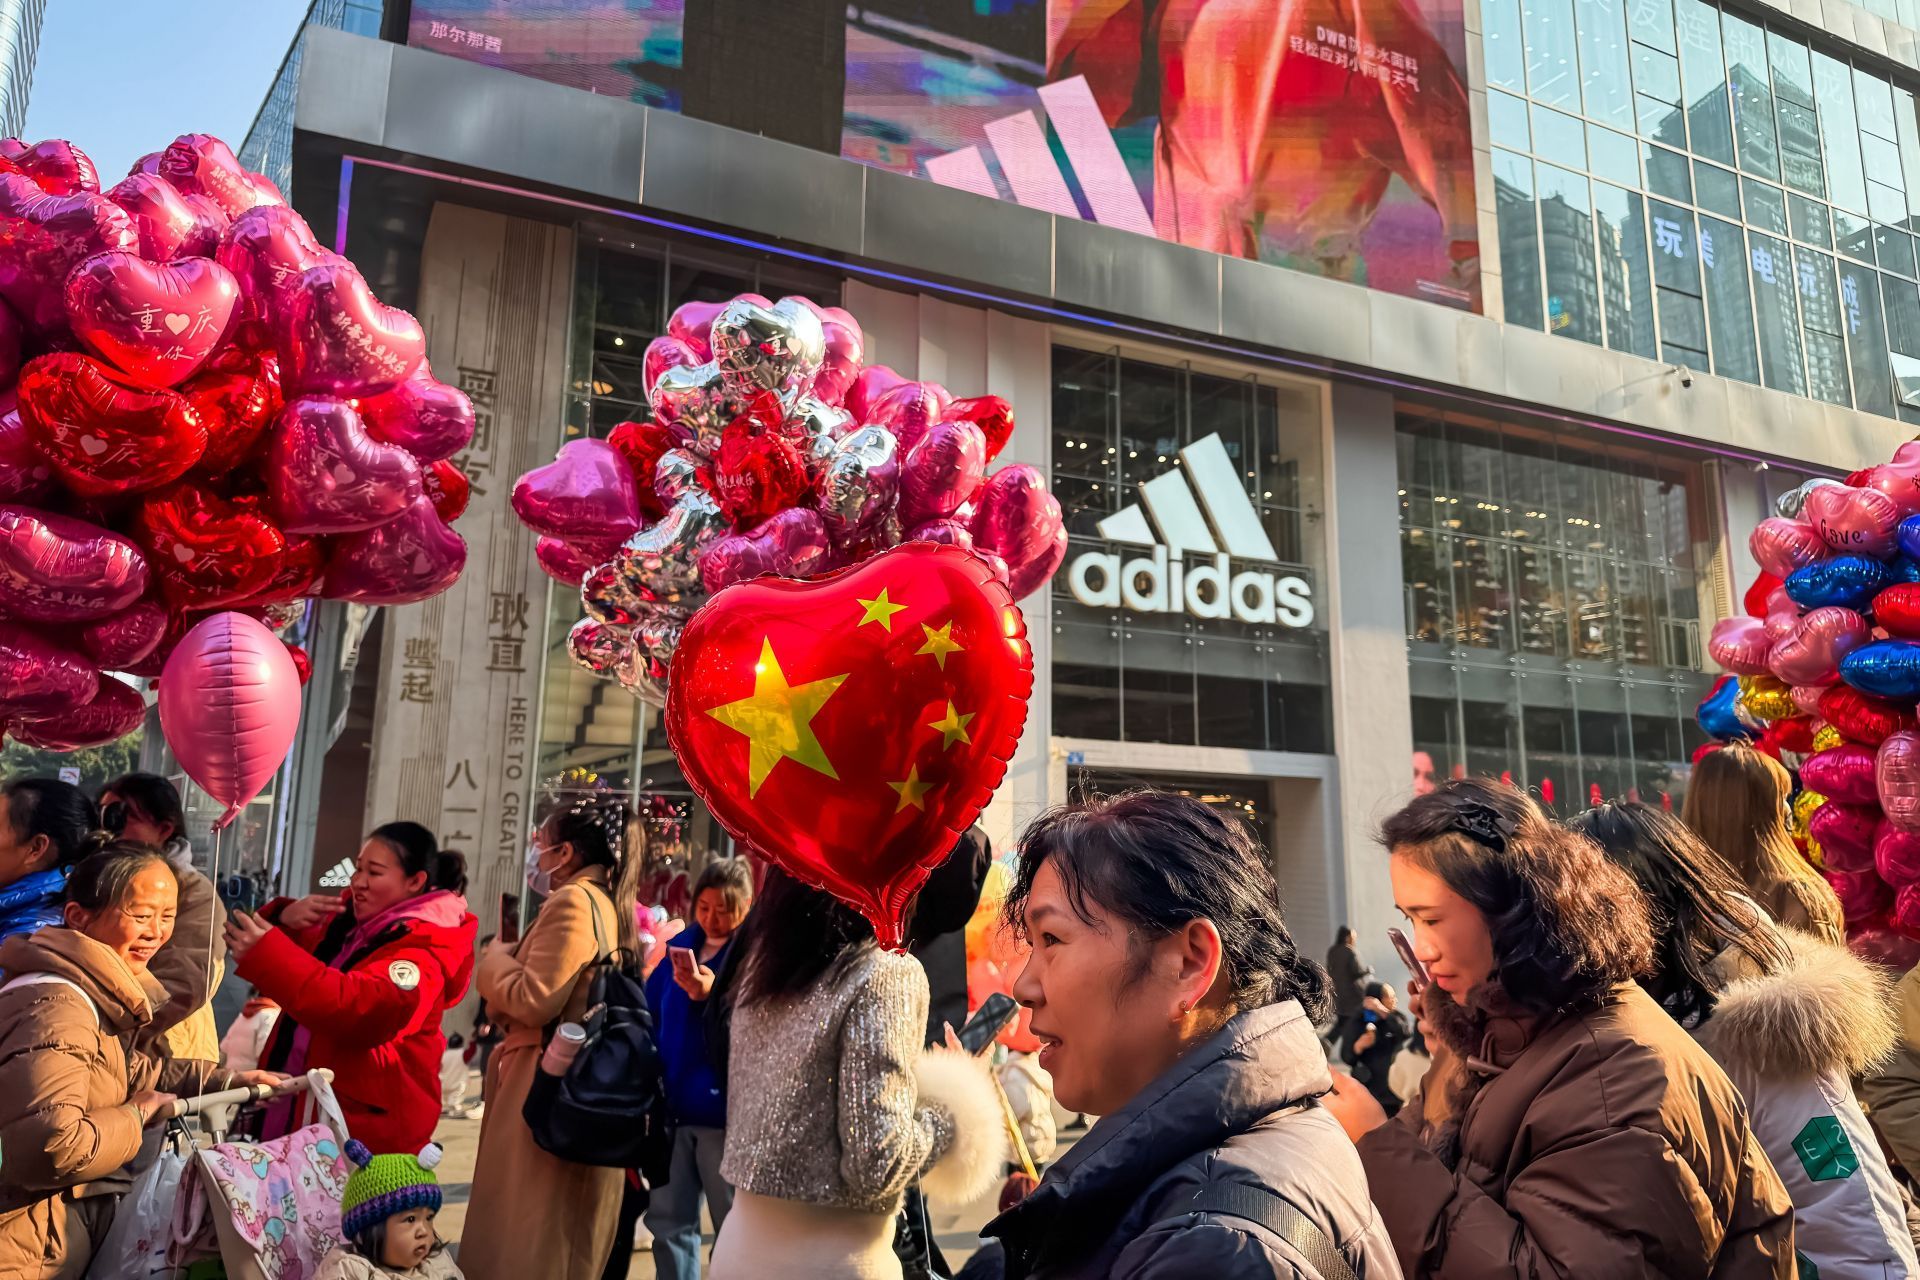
<point x="696" y="1091"/>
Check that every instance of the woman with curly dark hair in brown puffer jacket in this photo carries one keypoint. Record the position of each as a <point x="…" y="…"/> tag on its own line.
<point x="1568" y="1127"/>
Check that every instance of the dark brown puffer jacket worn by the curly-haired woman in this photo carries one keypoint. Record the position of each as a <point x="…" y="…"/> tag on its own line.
<point x="1604" y="1147"/>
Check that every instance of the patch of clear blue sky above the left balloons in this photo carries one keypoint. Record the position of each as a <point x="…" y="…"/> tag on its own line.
<point x="126" y="78"/>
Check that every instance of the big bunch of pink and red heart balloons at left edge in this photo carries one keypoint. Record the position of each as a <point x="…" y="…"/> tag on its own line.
<point x="201" y="410"/>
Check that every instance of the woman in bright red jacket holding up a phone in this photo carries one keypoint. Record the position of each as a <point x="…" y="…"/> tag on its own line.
<point x="364" y="982"/>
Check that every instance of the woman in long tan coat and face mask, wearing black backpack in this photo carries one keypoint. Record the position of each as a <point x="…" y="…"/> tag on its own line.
<point x="533" y="1214"/>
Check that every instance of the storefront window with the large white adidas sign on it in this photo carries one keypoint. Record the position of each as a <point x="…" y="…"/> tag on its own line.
<point x="1186" y="611"/>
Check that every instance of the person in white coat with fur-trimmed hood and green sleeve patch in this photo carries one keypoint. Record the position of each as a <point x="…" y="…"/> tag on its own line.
<point x="1790" y="1020"/>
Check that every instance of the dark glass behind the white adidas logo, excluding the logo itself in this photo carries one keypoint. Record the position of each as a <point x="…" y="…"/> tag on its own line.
<point x="1170" y="676"/>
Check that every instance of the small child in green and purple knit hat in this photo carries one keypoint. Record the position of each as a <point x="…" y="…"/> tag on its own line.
<point x="387" y="1218"/>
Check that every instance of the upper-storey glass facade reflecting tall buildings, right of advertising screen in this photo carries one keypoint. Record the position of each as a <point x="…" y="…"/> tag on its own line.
<point x="1689" y="185"/>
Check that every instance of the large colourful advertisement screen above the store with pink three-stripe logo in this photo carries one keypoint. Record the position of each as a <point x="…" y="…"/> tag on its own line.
<point x="1320" y="135"/>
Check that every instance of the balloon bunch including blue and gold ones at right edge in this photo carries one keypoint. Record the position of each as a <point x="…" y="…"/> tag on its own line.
<point x="1827" y="671"/>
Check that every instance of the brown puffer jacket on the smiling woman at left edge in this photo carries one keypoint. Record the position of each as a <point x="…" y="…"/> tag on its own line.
<point x="66" y="1078"/>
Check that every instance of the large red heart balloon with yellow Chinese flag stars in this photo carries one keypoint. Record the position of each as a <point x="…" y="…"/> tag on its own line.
<point x="853" y="726"/>
